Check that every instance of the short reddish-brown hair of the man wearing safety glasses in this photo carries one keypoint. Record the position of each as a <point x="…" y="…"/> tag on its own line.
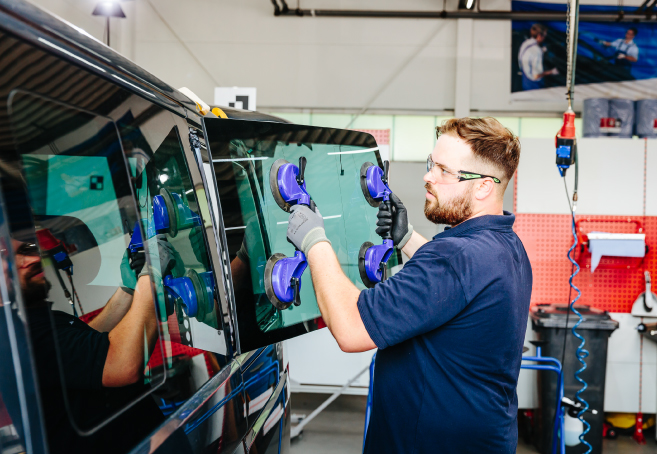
<point x="489" y="140"/>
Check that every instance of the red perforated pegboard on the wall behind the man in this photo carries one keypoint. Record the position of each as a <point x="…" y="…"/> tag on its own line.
<point x="547" y="238"/>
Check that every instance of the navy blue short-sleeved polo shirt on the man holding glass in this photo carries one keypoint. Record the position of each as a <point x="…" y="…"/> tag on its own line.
<point x="450" y="327"/>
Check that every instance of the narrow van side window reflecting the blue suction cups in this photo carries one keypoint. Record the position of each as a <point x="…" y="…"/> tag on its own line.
<point x="161" y="175"/>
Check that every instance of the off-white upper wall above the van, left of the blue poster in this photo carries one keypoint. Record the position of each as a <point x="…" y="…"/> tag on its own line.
<point x="319" y="63"/>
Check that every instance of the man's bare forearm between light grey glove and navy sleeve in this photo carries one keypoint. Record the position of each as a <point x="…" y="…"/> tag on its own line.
<point x="337" y="298"/>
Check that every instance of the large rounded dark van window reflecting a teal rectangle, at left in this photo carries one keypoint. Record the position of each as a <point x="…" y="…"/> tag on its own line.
<point x="79" y="191"/>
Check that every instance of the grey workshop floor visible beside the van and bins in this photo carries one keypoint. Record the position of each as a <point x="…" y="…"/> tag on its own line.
<point x="339" y="429"/>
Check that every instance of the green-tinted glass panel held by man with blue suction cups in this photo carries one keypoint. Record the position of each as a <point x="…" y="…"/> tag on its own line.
<point x="243" y="154"/>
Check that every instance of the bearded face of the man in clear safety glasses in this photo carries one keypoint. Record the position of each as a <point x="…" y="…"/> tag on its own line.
<point x="447" y="201"/>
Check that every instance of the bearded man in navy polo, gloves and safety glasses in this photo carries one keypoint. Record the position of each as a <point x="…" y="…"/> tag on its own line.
<point x="451" y="324"/>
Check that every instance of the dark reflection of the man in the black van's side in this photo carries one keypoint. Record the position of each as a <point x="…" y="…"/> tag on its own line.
<point x="101" y="371"/>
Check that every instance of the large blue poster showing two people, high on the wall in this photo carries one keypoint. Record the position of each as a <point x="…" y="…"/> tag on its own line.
<point x="614" y="59"/>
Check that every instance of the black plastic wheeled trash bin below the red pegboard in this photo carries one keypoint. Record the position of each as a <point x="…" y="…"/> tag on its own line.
<point x="549" y="322"/>
